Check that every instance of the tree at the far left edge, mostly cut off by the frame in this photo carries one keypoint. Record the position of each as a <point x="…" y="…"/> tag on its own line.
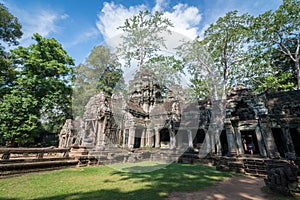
<point x="10" y="32"/>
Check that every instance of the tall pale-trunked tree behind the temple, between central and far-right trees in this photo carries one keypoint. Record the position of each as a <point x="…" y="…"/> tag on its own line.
<point x="216" y="59"/>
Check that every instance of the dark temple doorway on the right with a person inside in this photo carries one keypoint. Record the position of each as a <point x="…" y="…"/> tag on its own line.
<point x="249" y="141"/>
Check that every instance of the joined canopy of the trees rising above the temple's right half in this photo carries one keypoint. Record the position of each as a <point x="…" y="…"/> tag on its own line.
<point x="261" y="52"/>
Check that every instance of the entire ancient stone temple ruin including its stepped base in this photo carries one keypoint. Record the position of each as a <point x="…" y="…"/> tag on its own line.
<point x="157" y="119"/>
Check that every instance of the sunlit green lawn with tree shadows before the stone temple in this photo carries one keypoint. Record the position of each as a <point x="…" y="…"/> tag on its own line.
<point x="104" y="182"/>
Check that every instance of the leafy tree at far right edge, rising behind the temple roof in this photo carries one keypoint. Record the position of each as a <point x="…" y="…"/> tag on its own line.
<point x="277" y="35"/>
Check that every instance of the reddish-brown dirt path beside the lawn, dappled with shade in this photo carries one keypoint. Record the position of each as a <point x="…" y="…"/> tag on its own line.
<point x="236" y="188"/>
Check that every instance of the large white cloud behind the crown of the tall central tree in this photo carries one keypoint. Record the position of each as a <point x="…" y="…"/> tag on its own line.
<point x="184" y="18"/>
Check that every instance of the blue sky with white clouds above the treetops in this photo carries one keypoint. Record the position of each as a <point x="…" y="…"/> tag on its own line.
<point x="79" y="25"/>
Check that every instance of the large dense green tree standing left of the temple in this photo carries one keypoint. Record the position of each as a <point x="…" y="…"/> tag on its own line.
<point x="41" y="93"/>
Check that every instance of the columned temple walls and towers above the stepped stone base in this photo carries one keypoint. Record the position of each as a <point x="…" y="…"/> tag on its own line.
<point x="153" y="118"/>
